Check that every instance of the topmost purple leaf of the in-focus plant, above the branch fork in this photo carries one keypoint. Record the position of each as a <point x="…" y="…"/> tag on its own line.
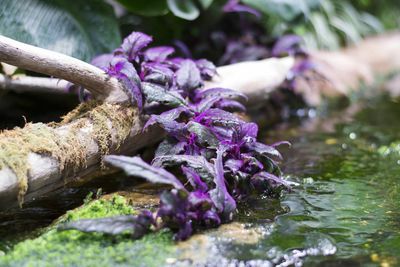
<point x="133" y="45"/>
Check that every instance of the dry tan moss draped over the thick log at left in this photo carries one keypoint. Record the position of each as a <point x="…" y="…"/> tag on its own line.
<point x="111" y="125"/>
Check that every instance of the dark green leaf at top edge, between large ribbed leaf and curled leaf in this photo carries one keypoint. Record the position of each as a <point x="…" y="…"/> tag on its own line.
<point x="146" y="7"/>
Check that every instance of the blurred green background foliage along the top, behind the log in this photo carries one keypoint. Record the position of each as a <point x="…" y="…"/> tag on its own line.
<point x="86" y="28"/>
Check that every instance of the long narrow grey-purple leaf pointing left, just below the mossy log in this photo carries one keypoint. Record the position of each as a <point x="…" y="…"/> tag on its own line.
<point x="135" y="166"/>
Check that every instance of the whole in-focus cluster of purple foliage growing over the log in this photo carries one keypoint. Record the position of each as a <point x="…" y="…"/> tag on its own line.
<point x="213" y="153"/>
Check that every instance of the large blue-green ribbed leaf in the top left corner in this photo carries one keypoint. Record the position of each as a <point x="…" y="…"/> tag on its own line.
<point x="81" y="29"/>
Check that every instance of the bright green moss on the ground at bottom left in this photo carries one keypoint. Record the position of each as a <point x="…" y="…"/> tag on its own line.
<point x="73" y="248"/>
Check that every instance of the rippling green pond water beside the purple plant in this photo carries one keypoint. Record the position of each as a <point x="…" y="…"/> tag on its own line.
<point x="343" y="209"/>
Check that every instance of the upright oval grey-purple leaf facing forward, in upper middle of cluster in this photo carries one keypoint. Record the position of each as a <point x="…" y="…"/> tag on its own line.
<point x="188" y="76"/>
